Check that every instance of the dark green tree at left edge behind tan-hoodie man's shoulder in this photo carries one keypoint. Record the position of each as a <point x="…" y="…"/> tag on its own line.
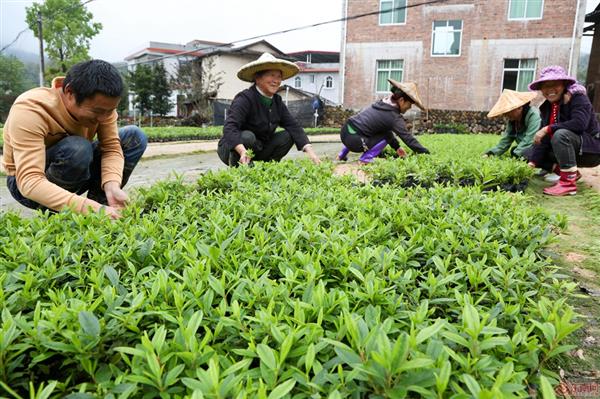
<point x="14" y="80"/>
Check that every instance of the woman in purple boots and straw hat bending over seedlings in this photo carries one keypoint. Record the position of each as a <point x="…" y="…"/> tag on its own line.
<point x="373" y="128"/>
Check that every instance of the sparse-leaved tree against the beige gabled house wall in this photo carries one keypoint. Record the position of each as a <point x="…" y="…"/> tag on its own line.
<point x="198" y="84"/>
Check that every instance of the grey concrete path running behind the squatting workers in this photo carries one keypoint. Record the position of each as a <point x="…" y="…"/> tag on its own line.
<point x="176" y="158"/>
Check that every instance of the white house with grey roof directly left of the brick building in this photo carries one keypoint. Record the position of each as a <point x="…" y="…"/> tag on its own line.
<point x="319" y="74"/>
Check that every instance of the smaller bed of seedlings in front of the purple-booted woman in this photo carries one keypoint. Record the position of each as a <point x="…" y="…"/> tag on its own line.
<point x="455" y="160"/>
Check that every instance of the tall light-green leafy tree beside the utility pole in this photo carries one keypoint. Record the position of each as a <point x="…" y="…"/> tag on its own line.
<point x="67" y="29"/>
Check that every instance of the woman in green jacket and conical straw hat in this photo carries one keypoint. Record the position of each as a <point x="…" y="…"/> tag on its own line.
<point x="523" y="122"/>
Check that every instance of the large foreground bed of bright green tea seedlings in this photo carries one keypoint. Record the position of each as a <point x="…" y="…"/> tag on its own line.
<point x="283" y="281"/>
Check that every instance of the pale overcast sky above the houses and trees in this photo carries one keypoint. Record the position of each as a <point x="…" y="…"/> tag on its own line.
<point x="128" y="25"/>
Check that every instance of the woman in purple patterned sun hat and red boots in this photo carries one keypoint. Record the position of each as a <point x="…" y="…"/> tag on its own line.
<point x="570" y="135"/>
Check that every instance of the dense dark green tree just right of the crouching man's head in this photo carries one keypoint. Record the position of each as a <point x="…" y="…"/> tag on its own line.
<point x="151" y="89"/>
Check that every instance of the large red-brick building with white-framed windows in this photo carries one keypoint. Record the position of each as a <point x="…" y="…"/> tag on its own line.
<point x="461" y="53"/>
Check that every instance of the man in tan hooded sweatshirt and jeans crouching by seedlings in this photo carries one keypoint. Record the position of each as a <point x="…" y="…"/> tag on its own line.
<point x="49" y="153"/>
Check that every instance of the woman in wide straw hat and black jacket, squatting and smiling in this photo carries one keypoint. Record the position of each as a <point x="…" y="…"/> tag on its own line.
<point x="257" y="112"/>
